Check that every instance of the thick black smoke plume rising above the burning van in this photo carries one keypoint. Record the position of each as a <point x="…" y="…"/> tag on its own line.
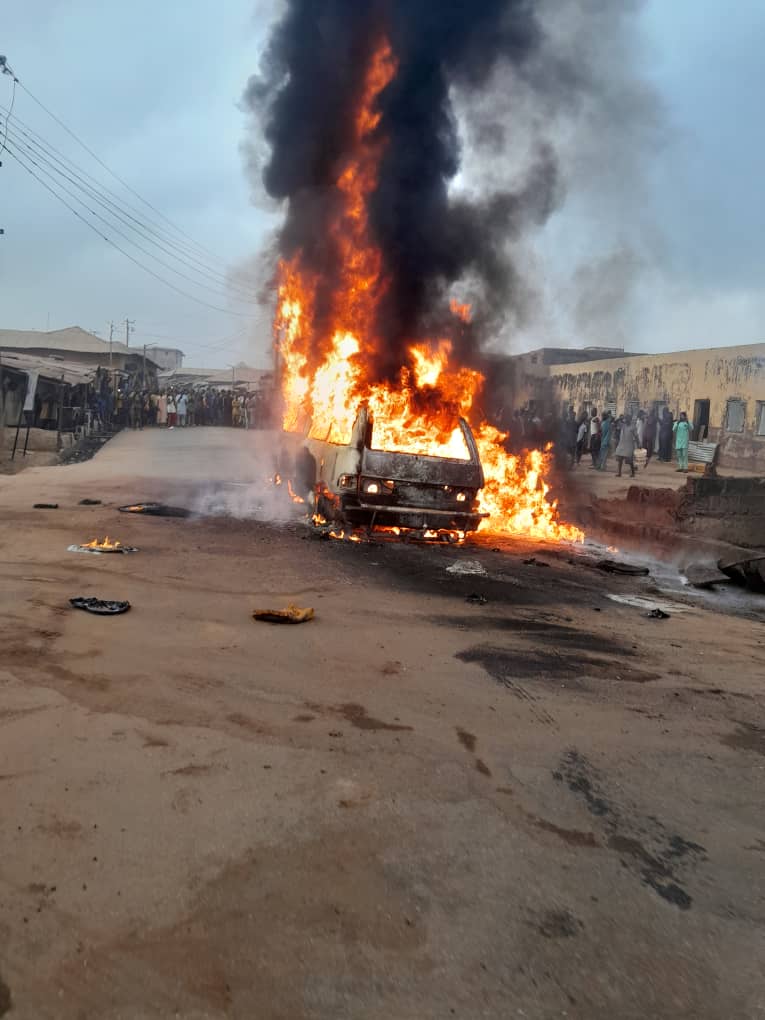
<point x="432" y="236"/>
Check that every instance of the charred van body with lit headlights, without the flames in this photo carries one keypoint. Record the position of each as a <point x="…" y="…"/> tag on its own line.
<point x="358" y="486"/>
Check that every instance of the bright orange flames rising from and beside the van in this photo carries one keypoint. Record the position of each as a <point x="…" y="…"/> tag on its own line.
<point x="325" y="375"/>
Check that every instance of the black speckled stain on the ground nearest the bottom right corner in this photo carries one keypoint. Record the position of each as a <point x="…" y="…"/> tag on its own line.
<point x="628" y="835"/>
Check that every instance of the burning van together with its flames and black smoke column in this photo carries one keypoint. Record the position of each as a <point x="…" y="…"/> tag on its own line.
<point x="387" y="282"/>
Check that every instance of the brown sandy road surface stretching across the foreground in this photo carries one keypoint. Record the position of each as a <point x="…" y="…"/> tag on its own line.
<point x="413" y="807"/>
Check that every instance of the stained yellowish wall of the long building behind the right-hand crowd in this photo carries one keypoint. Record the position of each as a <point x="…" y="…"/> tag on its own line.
<point x="718" y="375"/>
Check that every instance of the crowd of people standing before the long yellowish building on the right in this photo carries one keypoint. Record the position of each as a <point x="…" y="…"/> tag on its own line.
<point x="604" y="435"/>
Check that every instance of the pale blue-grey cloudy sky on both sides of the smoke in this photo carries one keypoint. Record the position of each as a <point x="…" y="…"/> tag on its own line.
<point x="666" y="254"/>
